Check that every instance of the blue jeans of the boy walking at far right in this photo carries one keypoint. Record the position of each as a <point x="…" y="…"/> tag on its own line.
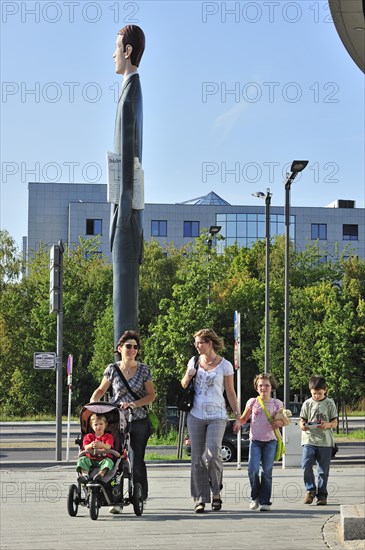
<point x="322" y="455"/>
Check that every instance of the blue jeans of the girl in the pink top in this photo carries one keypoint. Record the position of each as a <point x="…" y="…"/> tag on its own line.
<point x="262" y="453"/>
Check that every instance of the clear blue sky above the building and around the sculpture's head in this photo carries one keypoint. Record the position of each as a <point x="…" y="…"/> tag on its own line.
<point x="233" y="92"/>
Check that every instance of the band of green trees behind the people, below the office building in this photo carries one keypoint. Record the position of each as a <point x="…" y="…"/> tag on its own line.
<point x="181" y="291"/>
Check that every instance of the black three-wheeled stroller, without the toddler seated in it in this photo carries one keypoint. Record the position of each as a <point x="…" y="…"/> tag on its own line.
<point x="116" y="487"/>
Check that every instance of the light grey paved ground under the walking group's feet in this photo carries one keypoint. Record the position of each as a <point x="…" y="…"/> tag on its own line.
<point x="34" y="514"/>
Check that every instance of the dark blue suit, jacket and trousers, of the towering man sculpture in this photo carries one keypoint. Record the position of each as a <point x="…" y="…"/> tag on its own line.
<point x="126" y="231"/>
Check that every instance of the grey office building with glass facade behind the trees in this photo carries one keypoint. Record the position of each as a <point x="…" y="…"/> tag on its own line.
<point x="68" y="211"/>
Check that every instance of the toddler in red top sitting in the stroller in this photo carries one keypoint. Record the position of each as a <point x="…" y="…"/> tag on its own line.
<point x="96" y="443"/>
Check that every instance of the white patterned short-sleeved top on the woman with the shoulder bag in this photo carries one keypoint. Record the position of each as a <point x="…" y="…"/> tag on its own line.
<point x="209" y="402"/>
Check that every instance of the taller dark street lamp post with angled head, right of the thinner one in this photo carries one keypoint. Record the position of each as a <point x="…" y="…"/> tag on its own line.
<point x="296" y="167"/>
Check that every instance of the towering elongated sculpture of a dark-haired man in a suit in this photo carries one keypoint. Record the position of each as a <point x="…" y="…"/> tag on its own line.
<point x="126" y="230"/>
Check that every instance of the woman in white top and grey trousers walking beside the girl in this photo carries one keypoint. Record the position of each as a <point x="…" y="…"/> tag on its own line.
<point x="208" y="418"/>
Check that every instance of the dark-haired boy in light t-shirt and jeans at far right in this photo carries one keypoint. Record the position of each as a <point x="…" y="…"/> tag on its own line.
<point x="318" y="417"/>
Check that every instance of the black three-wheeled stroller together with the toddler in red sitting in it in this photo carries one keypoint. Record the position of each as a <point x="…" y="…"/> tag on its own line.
<point x="104" y="486"/>
